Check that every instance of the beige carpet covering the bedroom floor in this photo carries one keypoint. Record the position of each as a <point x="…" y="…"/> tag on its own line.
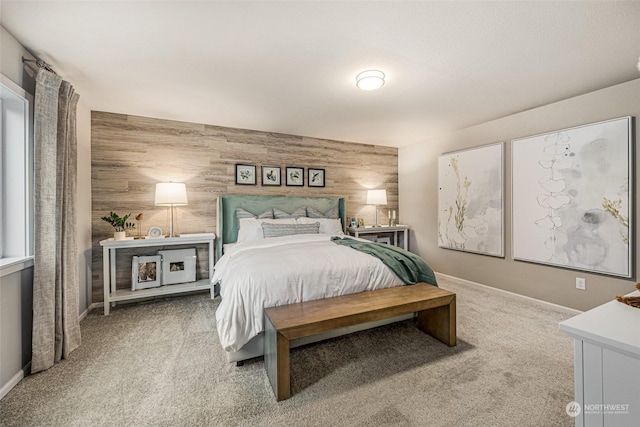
<point x="159" y="363"/>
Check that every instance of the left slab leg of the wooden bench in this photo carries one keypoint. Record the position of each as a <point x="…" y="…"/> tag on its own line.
<point x="276" y="361"/>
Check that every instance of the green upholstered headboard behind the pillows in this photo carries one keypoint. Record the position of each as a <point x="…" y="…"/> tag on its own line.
<point x="227" y="227"/>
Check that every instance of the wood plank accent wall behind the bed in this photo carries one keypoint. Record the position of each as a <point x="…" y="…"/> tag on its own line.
<point x="130" y="154"/>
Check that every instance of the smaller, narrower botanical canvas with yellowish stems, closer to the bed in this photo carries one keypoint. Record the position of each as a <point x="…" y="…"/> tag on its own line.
<point x="470" y="200"/>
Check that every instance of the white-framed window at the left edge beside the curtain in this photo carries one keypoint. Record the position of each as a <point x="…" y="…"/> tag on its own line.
<point x="16" y="172"/>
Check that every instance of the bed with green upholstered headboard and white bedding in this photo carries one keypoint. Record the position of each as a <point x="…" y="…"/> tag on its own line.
<point x="247" y="273"/>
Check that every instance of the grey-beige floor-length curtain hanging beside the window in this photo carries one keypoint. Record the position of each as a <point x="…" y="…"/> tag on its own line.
<point x="56" y="326"/>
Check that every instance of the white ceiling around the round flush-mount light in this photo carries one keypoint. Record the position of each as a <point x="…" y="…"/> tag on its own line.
<point x="290" y="66"/>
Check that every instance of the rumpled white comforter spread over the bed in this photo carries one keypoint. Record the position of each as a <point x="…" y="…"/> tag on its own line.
<point x="285" y="270"/>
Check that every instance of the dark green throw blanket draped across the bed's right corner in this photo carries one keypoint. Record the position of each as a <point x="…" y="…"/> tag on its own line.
<point x="410" y="268"/>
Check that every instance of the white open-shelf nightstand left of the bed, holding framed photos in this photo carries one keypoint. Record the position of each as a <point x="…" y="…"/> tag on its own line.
<point x="113" y="295"/>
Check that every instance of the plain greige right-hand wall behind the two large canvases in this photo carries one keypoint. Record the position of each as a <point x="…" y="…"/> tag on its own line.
<point x="418" y="180"/>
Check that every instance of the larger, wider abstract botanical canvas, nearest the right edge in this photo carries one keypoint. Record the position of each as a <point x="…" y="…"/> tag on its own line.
<point x="572" y="198"/>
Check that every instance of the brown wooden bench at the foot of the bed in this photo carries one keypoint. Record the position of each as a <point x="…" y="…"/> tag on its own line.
<point x="436" y="310"/>
